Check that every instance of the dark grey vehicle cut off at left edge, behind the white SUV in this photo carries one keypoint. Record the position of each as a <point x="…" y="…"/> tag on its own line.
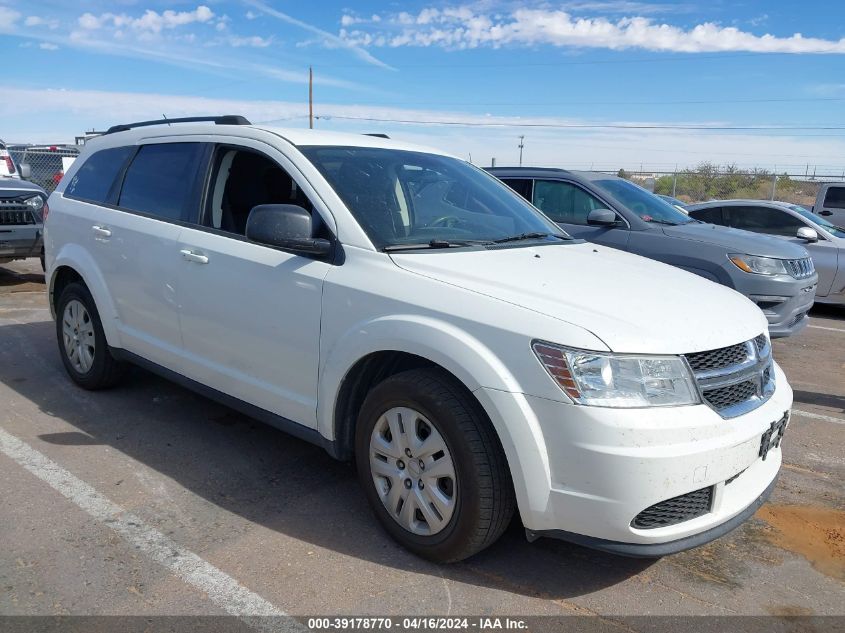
<point x="23" y="206"/>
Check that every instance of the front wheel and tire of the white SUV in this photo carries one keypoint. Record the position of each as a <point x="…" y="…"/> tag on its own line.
<point x="432" y="467"/>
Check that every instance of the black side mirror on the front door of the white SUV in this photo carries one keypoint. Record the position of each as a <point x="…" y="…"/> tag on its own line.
<point x="287" y="227"/>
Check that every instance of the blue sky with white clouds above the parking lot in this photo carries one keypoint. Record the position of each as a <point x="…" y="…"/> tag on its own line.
<point x="587" y="82"/>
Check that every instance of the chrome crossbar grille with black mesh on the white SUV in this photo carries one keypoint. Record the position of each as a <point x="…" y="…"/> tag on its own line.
<point x="735" y="379"/>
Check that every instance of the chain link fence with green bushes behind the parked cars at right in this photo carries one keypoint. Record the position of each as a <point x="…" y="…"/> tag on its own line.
<point x="712" y="182"/>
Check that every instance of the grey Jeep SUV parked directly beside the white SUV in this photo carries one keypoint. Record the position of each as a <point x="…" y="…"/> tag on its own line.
<point x="779" y="277"/>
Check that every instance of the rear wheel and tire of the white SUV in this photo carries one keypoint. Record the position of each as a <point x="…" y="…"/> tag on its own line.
<point x="82" y="343"/>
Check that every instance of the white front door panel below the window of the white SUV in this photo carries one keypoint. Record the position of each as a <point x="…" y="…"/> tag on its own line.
<point x="251" y="321"/>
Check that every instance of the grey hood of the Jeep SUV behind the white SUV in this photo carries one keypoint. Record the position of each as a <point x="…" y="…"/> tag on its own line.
<point x="736" y="240"/>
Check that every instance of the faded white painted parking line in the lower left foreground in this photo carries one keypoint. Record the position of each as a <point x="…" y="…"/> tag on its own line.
<point x="223" y="590"/>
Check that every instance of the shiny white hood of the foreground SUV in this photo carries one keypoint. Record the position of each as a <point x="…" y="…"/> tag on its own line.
<point x="633" y="304"/>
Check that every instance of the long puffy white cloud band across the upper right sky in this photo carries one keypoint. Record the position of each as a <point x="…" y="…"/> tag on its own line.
<point x="465" y="27"/>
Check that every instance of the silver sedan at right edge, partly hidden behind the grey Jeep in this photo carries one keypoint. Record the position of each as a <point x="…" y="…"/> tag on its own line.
<point x="791" y="222"/>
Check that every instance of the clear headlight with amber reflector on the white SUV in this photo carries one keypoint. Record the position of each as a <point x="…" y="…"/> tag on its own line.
<point x="611" y="380"/>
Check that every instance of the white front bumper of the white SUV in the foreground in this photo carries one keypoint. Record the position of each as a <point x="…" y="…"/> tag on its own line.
<point x="595" y="469"/>
